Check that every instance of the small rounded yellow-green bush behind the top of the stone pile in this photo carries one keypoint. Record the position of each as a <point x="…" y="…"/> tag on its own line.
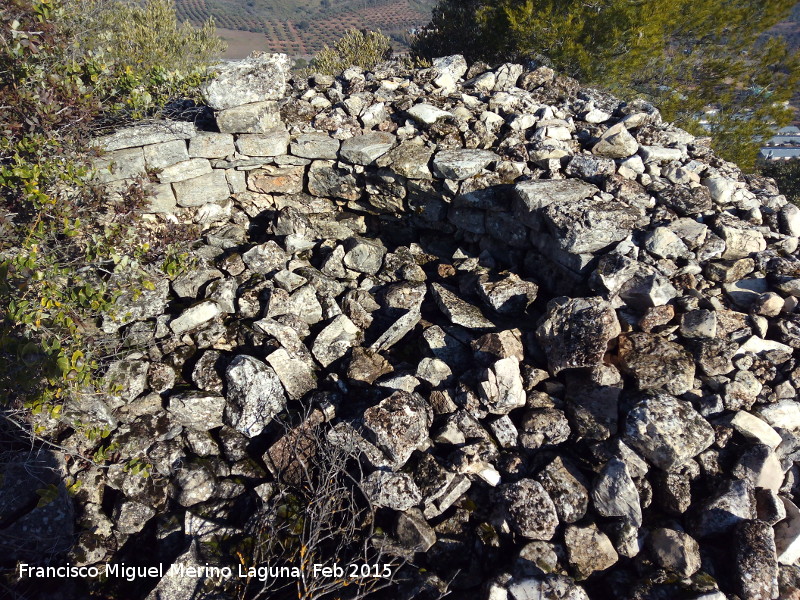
<point x="355" y="48"/>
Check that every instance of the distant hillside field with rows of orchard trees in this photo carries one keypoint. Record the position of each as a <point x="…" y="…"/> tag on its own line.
<point x="301" y="27"/>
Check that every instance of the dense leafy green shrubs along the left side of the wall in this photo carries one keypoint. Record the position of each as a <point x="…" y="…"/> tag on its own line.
<point x="70" y="66"/>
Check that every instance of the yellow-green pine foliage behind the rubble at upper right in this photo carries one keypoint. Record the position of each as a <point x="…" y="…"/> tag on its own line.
<point x="684" y="56"/>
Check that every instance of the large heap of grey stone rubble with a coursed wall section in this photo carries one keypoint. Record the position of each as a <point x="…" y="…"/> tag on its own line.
<point x="560" y="331"/>
